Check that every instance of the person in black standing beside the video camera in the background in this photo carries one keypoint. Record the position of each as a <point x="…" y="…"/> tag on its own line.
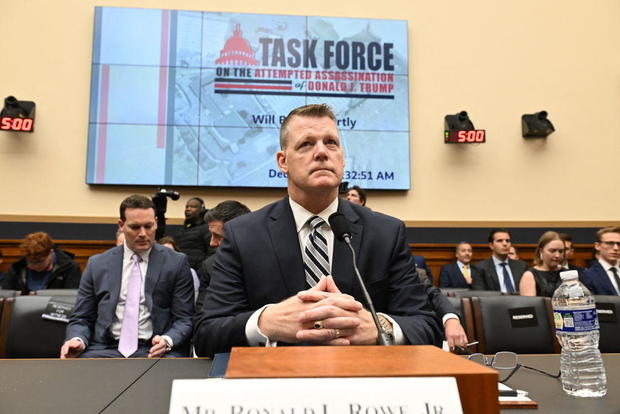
<point x="194" y="238"/>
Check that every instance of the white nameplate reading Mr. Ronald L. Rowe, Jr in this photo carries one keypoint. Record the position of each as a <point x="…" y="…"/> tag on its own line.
<point x="395" y="395"/>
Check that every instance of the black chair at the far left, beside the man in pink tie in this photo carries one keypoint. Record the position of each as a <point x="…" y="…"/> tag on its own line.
<point x="25" y="334"/>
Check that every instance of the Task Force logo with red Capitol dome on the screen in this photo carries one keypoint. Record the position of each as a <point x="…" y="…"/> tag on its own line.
<point x="305" y="67"/>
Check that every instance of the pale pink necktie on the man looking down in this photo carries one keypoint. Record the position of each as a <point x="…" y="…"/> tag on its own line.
<point x="128" y="342"/>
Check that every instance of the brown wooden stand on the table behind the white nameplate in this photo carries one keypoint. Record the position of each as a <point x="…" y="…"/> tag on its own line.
<point x="477" y="384"/>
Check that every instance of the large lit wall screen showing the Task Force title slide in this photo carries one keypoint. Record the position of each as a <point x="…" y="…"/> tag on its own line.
<point x="194" y="98"/>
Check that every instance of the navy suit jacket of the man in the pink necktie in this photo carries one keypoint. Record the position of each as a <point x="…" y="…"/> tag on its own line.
<point x="169" y="292"/>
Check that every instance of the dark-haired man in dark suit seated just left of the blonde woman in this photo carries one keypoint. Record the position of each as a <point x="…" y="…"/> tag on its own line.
<point x="499" y="272"/>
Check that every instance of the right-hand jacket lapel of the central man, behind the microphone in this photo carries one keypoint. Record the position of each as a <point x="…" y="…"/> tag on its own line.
<point x="342" y="261"/>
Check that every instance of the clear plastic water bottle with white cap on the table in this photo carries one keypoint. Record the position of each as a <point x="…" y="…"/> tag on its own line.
<point x="576" y="324"/>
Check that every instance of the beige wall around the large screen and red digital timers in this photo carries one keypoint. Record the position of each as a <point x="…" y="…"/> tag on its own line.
<point x="495" y="59"/>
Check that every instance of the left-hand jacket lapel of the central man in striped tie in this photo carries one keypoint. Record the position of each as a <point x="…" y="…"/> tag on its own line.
<point x="282" y="230"/>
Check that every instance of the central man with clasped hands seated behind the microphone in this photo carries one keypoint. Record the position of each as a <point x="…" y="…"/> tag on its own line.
<point x="267" y="289"/>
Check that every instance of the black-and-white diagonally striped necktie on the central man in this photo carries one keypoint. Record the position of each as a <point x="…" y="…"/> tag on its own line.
<point x="316" y="260"/>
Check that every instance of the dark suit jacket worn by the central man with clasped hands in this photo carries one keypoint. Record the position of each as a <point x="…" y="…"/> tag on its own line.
<point x="260" y="262"/>
